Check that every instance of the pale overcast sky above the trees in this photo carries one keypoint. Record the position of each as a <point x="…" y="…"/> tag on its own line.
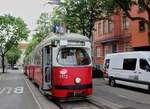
<point x="28" y="10"/>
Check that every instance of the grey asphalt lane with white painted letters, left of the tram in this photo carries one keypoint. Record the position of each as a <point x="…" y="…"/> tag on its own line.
<point x="14" y="92"/>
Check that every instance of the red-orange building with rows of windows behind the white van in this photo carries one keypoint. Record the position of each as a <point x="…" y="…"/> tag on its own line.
<point x="119" y="34"/>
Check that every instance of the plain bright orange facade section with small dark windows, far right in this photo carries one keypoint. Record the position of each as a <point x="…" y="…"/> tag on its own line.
<point x="139" y="30"/>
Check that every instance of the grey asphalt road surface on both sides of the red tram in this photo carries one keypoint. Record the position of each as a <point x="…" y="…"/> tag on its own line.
<point x="16" y="93"/>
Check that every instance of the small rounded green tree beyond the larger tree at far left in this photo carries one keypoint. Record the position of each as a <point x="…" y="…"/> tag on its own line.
<point x="13" y="55"/>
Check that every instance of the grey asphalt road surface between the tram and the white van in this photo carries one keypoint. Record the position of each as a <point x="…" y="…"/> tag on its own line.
<point x="120" y="97"/>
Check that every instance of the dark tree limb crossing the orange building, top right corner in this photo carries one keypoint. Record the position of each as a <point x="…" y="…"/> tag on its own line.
<point x="126" y="6"/>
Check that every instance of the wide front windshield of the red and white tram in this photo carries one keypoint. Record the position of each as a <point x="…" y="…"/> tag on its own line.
<point x="73" y="57"/>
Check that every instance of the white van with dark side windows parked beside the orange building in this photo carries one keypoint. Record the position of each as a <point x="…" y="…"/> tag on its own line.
<point x="129" y="68"/>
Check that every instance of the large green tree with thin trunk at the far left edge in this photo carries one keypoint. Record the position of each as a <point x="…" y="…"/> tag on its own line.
<point x="12" y="30"/>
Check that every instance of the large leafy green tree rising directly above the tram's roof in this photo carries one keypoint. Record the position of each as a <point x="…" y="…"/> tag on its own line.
<point x="81" y="15"/>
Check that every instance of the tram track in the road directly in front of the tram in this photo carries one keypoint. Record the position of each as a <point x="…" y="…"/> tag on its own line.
<point x="79" y="104"/>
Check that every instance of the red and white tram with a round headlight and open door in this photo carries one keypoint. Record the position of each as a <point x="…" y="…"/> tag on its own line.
<point x="62" y="64"/>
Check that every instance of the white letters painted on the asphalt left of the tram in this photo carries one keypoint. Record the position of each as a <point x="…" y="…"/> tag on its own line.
<point x="9" y="90"/>
